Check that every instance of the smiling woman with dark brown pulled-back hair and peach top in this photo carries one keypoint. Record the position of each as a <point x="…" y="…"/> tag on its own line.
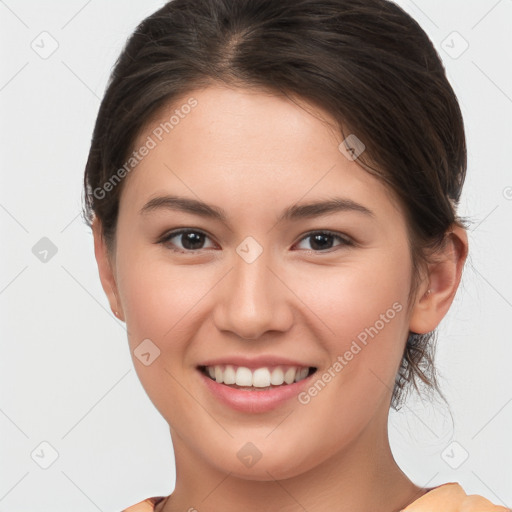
<point x="272" y="187"/>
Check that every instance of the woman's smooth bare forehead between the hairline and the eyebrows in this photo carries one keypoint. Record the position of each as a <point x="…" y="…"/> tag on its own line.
<point x="257" y="147"/>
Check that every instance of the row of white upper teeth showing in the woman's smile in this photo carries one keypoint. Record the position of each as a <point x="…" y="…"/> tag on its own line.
<point x="258" y="378"/>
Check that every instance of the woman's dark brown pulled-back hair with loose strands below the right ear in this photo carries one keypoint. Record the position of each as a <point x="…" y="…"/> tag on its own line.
<point x="366" y="62"/>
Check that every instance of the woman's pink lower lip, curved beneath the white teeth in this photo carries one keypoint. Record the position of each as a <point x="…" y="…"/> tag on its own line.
<point x="254" y="401"/>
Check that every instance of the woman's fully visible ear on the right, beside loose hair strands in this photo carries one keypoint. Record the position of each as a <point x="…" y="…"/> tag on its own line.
<point x="442" y="279"/>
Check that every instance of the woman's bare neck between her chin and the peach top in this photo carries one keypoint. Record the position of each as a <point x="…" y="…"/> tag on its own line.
<point x="362" y="477"/>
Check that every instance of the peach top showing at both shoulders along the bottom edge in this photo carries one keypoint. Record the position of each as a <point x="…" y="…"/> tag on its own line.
<point x="449" y="497"/>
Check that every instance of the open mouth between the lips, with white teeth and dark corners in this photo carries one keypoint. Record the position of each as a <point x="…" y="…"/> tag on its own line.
<point x="256" y="379"/>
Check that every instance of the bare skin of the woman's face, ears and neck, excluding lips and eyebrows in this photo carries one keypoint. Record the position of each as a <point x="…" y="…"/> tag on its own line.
<point x="254" y="154"/>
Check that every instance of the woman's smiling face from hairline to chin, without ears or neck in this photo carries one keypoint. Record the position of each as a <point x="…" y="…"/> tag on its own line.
<point x="261" y="282"/>
